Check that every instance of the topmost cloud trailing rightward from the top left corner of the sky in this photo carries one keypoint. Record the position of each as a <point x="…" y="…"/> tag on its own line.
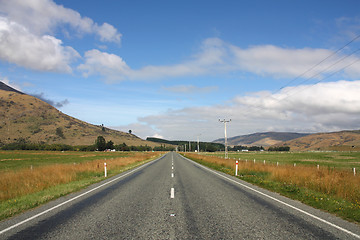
<point x="44" y="16"/>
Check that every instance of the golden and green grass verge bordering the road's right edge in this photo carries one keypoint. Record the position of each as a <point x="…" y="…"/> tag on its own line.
<point x="331" y="190"/>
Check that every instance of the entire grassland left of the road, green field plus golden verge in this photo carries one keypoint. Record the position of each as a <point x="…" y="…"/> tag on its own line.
<point x="31" y="178"/>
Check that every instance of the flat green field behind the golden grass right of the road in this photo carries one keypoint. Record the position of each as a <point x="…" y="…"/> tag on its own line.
<point x="346" y="160"/>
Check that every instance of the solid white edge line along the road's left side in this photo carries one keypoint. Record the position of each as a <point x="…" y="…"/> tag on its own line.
<point x="74" y="198"/>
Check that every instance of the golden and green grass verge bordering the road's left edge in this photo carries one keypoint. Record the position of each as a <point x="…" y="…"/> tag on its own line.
<point x="28" y="188"/>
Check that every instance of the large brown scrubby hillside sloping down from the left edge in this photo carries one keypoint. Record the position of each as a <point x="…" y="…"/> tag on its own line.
<point x="29" y="118"/>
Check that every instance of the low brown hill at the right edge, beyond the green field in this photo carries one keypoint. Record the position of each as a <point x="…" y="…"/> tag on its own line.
<point x="339" y="141"/>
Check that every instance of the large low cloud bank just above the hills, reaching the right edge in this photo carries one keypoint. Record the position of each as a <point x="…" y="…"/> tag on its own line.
<point x="330" y="106"/>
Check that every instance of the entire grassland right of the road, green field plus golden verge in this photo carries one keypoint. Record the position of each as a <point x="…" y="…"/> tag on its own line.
<point x="332" y="187"/>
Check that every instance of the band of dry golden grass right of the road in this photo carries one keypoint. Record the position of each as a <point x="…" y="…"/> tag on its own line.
<point x="335" y="182"/>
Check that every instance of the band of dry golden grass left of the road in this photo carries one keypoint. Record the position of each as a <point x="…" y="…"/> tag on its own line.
<point x="21" y="182"/>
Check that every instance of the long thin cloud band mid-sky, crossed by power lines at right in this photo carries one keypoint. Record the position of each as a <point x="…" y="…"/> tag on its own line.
<point x="216" y="56"/>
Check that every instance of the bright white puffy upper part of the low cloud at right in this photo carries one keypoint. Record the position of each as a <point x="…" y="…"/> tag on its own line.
<point x="320" y="99"/>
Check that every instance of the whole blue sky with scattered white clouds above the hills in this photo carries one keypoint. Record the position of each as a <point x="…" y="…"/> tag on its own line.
<point x="172" y="68"/>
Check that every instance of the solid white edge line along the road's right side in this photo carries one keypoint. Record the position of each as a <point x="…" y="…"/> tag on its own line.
<point x="279" y="201"/>
